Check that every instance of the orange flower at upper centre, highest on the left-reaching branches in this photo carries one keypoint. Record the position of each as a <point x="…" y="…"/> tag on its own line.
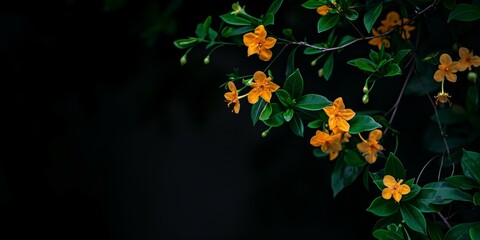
<point x="258" y="43"/>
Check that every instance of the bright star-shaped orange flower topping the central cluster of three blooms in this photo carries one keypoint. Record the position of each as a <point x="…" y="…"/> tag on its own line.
<point x="338" y="115"/>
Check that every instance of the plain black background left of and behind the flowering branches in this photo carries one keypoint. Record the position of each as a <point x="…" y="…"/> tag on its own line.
<point x="107" y="136"/>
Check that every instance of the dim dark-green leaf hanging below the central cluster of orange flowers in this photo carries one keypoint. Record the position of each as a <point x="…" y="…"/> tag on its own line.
<point x="343" y="175"/>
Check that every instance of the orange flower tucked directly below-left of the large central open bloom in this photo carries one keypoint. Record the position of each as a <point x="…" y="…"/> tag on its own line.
<point x="328" y="143"/>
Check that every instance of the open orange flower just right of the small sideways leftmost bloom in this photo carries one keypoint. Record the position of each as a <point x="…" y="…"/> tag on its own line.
<point x="262" y="87"/>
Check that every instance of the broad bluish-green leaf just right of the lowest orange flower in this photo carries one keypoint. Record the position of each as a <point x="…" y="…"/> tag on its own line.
<point x="442" y="193"/>
